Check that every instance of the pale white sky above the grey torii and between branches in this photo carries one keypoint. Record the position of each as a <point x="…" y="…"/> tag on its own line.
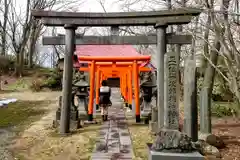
<point x="95" y="6"/>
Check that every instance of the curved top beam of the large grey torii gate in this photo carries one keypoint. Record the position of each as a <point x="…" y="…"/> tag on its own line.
<point x="162" y="17"/>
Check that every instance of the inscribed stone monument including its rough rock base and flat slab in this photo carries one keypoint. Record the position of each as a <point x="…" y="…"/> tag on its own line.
<point x="170" y="143"/>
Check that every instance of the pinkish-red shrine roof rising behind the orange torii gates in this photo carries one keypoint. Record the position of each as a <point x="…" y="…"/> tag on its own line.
<point x="107" y="50"/>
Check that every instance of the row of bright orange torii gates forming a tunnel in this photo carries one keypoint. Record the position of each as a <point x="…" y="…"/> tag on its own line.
<point x="123" y="67"/>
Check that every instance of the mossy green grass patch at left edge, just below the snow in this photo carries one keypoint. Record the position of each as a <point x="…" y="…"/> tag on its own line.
<point x="20" y="112"/>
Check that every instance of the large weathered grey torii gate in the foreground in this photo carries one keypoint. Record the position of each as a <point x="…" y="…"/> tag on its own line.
<point x="71" y="20"/>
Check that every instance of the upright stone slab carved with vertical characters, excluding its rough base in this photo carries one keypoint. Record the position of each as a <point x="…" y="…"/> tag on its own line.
<point x="171" y="109"/>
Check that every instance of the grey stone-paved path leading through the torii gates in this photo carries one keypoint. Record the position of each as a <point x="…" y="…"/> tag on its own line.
<point x="114" y="142"/>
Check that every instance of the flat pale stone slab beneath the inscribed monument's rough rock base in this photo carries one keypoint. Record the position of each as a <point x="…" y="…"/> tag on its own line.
<point x="153" y="155"/>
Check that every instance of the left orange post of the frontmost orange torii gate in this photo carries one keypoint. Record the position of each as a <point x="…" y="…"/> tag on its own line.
<point x="91" y="97"/>
